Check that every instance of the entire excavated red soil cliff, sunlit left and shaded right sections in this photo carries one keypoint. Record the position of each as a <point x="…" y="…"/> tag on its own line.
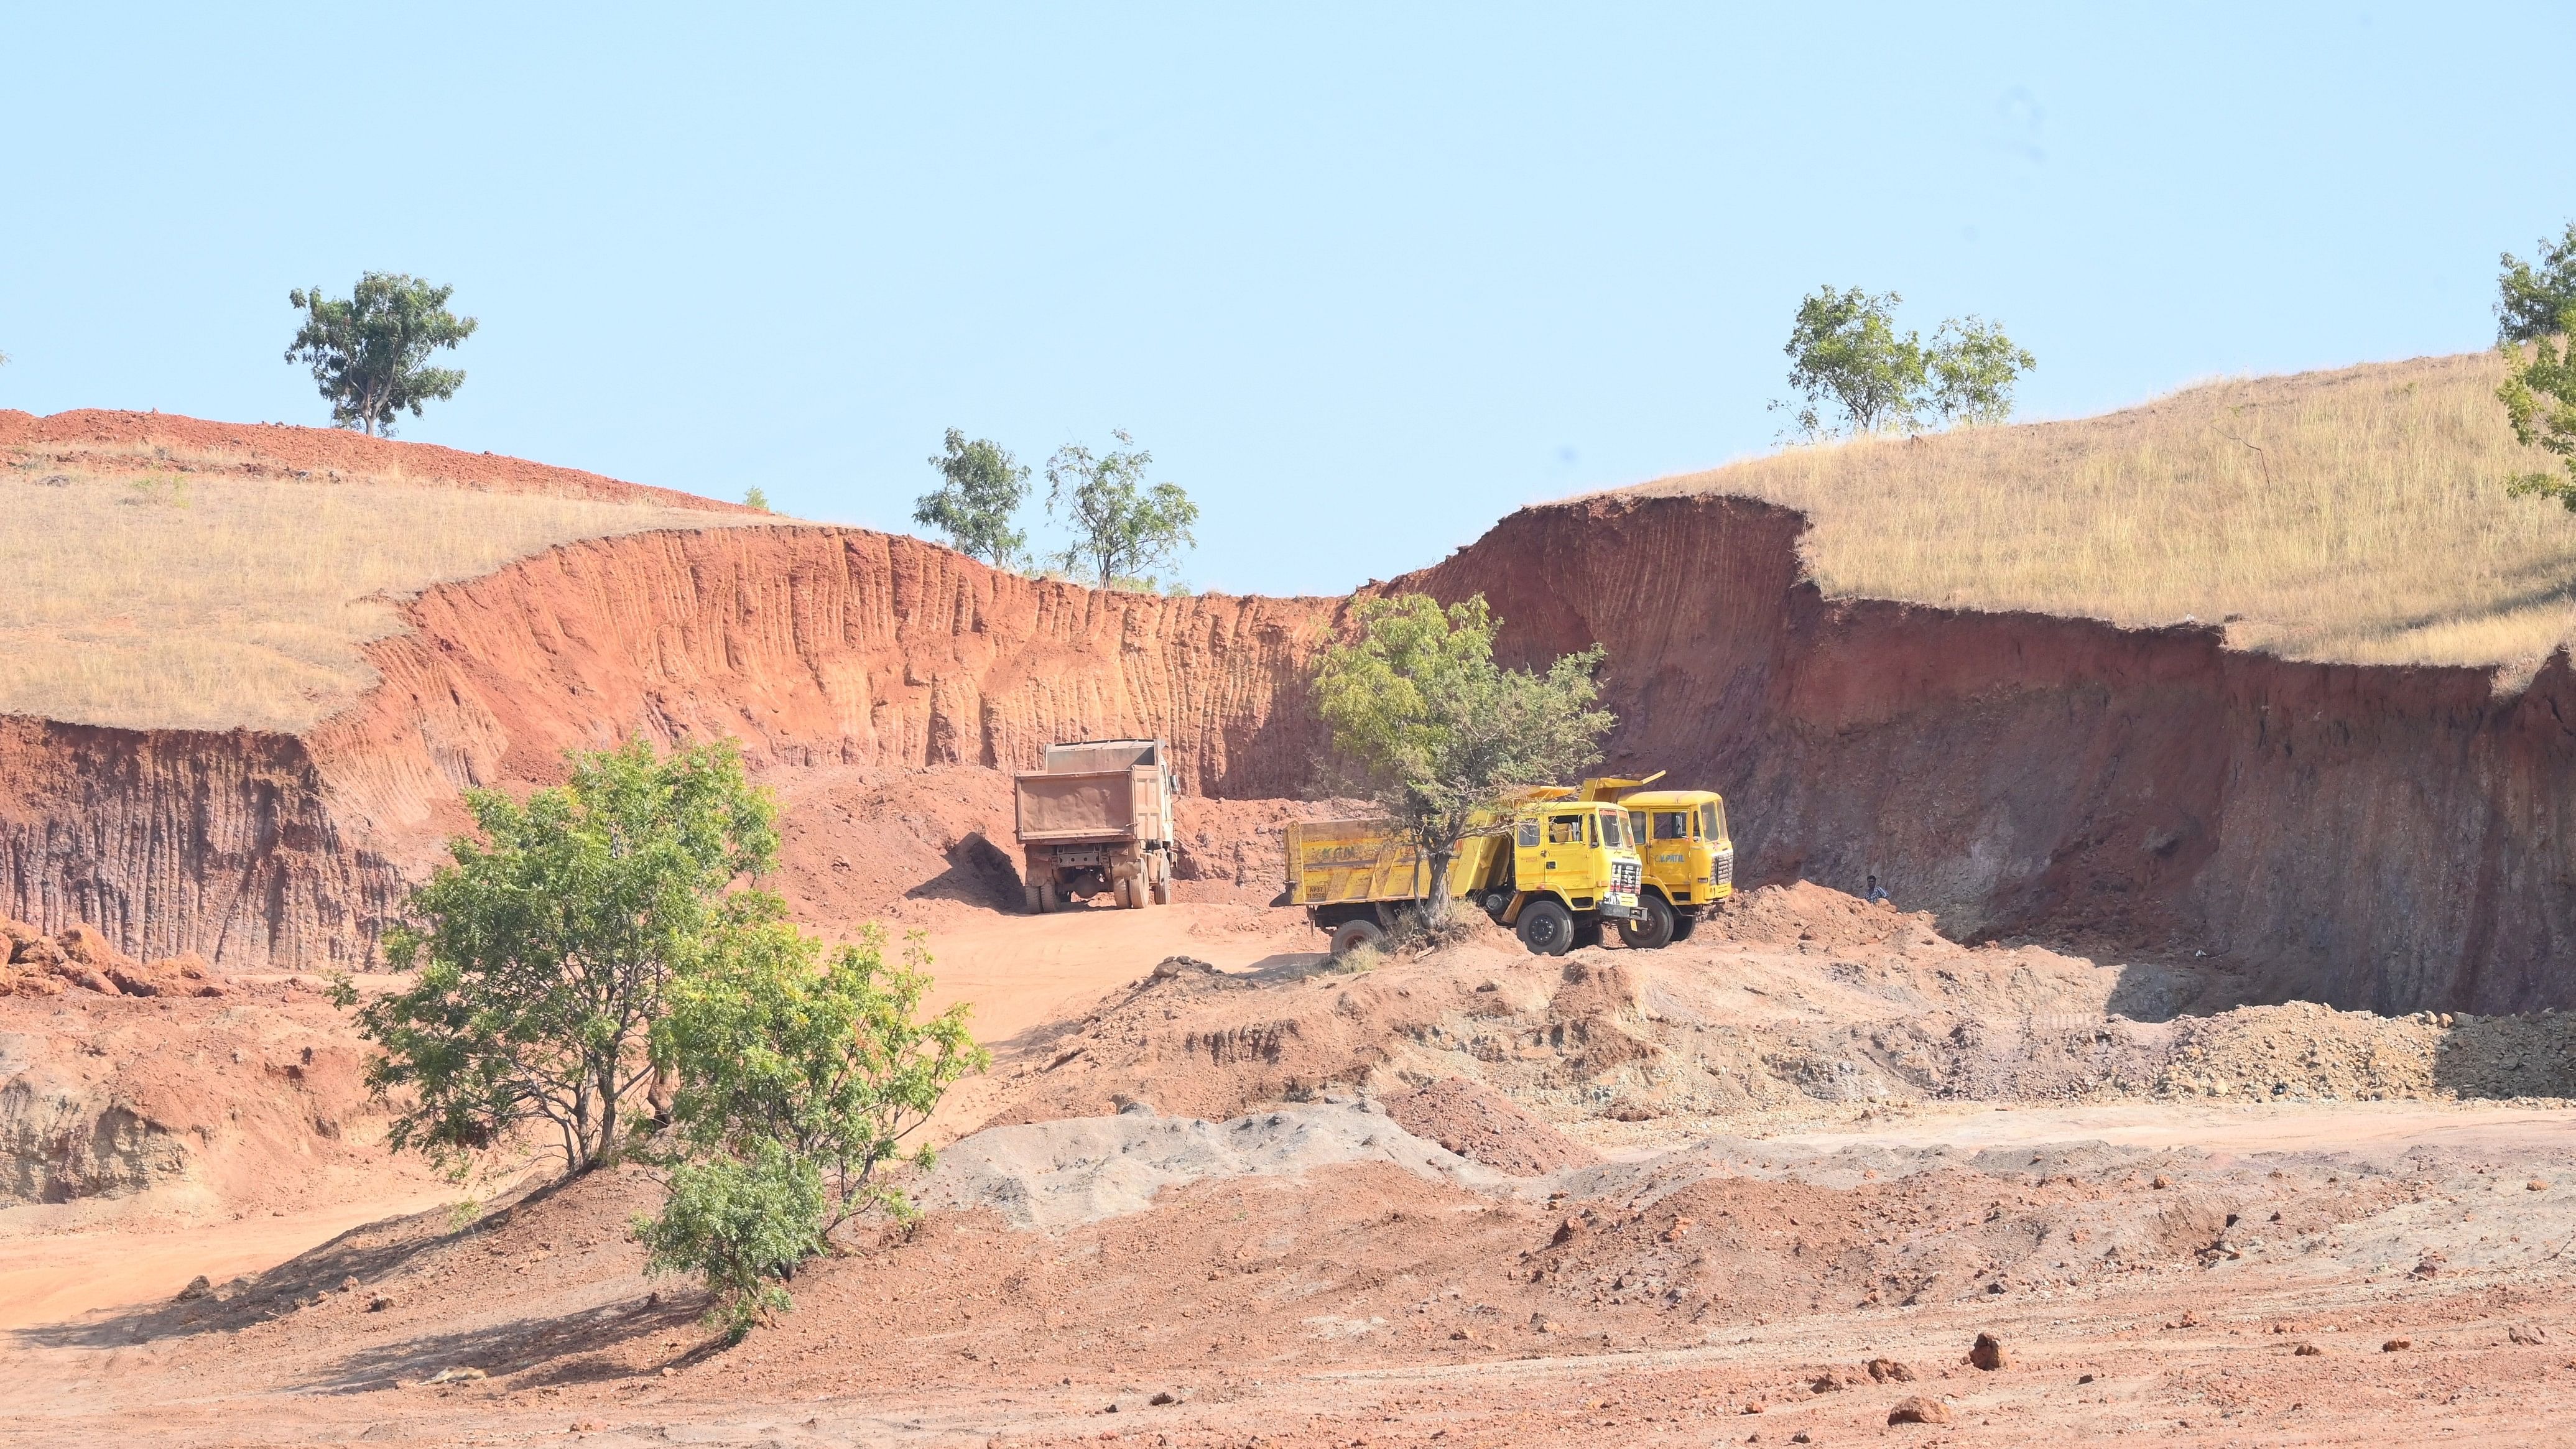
<point x="2366" y="835"/>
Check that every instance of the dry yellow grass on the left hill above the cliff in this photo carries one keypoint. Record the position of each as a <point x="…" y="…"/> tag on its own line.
<point x="153" y="593"/>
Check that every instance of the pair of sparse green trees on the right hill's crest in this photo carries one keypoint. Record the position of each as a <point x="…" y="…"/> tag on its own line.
<point x="1859" y="374"/>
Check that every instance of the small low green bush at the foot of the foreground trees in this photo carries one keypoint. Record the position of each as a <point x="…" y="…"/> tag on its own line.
<point x="743" y="1226"/>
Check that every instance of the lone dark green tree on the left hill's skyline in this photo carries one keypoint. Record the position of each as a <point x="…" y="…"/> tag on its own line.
<point x="372" y="349"/>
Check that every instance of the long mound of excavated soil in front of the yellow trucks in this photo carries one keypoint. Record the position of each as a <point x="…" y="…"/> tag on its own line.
<point x="1794" y="1005"/>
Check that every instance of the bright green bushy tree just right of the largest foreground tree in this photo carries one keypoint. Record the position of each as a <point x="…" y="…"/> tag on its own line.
<point x="823" y="1057"/>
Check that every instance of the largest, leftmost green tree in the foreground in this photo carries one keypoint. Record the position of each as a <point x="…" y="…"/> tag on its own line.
<point x="547" y="948"/>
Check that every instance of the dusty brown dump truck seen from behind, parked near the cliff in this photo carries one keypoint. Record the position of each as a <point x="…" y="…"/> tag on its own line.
<point x="1099" y="822"/>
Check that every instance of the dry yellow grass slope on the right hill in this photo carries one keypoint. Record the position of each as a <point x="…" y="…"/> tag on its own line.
<point x="2325" y="516"/>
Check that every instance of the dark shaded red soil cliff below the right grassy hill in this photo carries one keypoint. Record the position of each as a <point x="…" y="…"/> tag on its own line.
<point x="2384" y="838"/>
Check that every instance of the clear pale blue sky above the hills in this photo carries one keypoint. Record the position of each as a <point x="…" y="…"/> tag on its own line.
<point x="1364" y="279"/>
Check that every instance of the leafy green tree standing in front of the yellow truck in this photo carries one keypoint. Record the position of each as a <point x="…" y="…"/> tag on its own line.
<point x="1439" y="732"/>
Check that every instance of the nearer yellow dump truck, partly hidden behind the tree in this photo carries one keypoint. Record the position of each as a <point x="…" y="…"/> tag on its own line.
<point x="1555" y="871"/>
